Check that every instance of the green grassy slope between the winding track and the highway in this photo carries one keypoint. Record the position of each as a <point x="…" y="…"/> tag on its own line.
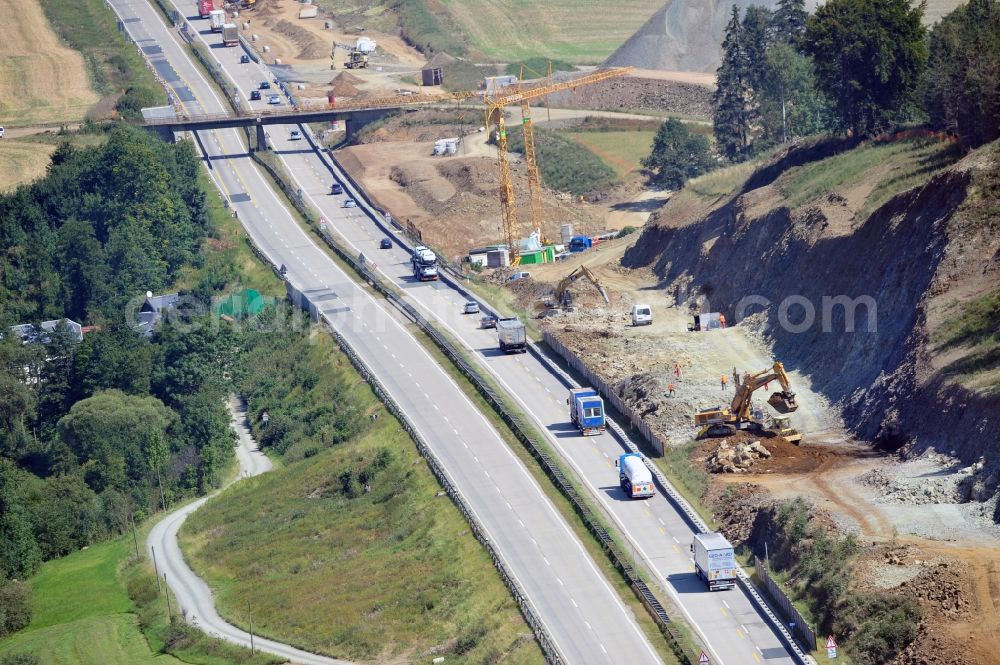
<point x="366" y="559"/>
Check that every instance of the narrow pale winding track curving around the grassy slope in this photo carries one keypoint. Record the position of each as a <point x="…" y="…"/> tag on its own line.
<point x="192" y="594"/>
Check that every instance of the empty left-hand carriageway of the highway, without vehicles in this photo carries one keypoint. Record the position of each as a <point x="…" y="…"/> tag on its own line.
<point x="579" y="610"/>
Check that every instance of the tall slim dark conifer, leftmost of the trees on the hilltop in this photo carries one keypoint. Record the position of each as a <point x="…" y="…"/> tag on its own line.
<point x="733" y="113"/>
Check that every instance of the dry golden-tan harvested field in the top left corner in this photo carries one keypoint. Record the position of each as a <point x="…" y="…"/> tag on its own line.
<point x="41" y="80"/>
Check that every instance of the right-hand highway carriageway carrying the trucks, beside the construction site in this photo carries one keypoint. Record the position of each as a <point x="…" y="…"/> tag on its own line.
<point x="735" y="626"/>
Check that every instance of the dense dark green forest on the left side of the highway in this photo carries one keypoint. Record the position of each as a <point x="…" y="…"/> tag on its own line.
<point x="98" y="433"/>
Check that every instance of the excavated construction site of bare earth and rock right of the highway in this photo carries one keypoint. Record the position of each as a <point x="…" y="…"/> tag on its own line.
<point x="890" y="442"/>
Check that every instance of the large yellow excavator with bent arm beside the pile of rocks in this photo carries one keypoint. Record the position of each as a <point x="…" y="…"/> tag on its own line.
<point x="741" y="414"/>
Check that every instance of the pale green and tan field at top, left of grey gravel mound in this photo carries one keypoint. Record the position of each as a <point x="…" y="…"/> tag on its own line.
<point x="580" y="31"/>
